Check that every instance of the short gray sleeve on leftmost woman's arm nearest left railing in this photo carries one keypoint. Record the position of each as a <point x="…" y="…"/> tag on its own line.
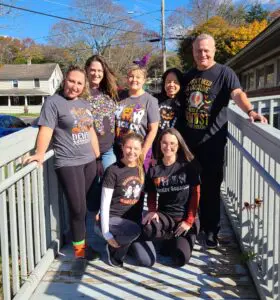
<point x="49" y="114"/>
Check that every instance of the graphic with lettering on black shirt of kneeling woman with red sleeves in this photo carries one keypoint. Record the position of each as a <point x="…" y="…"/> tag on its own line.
<point x="176" y="182"/>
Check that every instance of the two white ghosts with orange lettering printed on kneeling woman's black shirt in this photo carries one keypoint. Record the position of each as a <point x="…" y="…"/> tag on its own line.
<point x="132" y="188"/>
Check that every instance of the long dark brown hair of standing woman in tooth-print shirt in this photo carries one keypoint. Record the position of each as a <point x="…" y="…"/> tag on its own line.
<point x="108" y="84"/>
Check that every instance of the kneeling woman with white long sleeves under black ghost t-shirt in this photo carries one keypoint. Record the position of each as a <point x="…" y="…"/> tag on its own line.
<point x="121" y="205"/>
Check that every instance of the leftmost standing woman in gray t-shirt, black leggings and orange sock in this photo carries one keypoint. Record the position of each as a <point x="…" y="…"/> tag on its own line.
<point x="67" y="120"/>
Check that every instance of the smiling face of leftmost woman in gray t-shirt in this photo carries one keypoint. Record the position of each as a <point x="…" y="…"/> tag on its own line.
<point x="74" y="85"/>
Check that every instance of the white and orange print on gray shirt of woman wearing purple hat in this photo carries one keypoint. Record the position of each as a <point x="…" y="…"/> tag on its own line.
<point x="129" y="118"/>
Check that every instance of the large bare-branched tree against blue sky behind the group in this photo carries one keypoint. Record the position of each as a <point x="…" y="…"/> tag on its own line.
<point x="113" y="25"/>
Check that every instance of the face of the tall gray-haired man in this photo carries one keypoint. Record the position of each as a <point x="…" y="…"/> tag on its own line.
<point x="204" y="53"/>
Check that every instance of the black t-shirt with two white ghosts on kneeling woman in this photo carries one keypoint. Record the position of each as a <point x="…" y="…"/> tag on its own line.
<point x="127" y="190"/>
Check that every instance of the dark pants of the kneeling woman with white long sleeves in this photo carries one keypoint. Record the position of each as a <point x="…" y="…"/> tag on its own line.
<point x="126" y="233"/>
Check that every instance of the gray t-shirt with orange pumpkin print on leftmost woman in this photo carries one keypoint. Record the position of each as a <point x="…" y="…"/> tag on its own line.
<point x="71" y="121"/>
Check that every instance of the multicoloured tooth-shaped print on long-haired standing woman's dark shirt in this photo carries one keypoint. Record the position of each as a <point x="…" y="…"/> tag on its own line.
<point x="103" y="108"/>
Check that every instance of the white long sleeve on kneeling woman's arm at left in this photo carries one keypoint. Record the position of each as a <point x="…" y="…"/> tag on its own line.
<point x="106" y="198"/>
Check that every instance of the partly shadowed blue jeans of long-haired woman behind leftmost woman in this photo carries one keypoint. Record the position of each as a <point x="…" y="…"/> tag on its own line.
<point x="94" y="194"/>
